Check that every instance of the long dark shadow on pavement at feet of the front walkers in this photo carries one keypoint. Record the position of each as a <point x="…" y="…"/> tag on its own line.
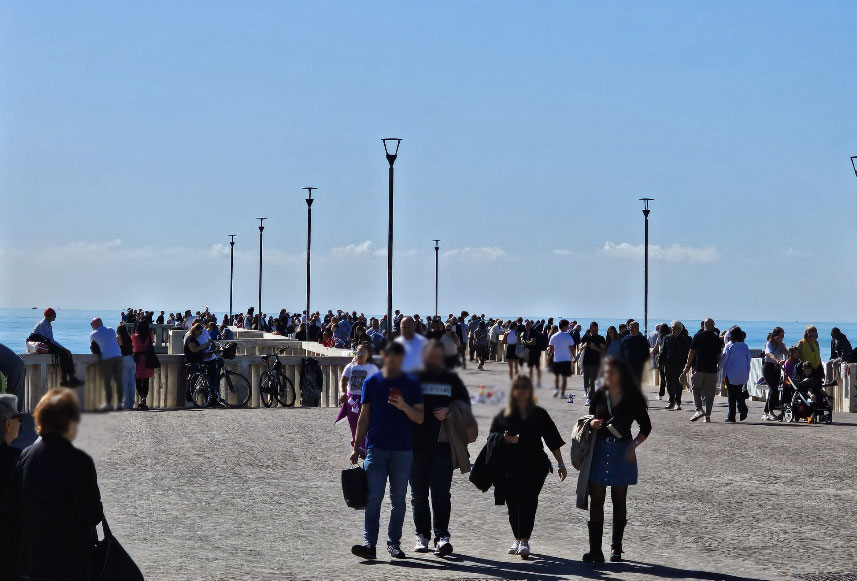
<point x="548" y="568"/>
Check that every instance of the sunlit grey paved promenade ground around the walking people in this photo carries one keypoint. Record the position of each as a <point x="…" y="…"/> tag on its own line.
<point x="255" y="494"/>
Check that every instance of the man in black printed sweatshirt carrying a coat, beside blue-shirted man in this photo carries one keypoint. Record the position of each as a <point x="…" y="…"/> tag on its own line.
<point x="432" y="465"/>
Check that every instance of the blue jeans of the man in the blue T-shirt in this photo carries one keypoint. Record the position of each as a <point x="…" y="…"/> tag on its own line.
<point x="379" y="465"/>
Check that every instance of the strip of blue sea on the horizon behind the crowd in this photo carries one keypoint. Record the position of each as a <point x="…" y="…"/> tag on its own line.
<point x="72" y="329"/>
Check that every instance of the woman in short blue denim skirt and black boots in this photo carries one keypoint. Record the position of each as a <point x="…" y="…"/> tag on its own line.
<point x="618" y="404"/>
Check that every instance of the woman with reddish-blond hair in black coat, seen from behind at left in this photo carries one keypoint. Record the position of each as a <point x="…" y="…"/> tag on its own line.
<point x="59" y="500"/>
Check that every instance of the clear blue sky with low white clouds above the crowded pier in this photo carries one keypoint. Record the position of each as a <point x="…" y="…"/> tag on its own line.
<point x="134" y="137"/>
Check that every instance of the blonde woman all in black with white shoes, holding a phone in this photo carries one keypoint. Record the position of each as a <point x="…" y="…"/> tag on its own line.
<point x="523" y="426"/>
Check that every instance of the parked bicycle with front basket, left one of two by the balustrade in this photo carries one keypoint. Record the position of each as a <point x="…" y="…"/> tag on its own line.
<point x="232" y="390"/>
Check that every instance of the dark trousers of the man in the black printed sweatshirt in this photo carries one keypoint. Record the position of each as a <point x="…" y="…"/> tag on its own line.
<point x="431" y="472"/>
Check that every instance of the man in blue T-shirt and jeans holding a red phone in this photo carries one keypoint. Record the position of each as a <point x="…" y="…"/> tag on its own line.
<point x="392" y="402"/>
